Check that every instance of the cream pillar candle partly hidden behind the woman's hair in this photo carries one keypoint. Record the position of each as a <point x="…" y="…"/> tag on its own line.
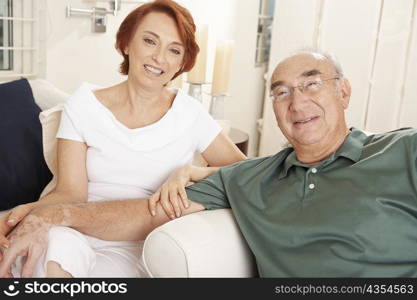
<point x="198" y="73"/>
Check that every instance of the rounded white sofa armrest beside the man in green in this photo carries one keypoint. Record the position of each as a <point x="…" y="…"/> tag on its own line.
<point x="204" y="244"/>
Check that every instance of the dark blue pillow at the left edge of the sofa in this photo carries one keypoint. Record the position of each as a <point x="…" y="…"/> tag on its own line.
<point x="23" y="171"/>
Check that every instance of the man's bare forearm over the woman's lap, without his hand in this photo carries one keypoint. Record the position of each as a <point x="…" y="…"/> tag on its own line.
<point x="126" y="220"/>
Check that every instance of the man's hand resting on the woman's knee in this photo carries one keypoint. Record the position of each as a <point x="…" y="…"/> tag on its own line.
<point x="29" y="239"/>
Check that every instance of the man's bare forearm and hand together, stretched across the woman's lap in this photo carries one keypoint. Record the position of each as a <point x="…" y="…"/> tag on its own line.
<point x="110" y="220"/>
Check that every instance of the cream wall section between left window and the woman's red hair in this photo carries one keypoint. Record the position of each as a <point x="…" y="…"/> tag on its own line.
<point x="74" y="54"/>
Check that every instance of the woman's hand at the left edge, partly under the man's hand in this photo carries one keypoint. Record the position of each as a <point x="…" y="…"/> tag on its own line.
<point x="9" y="221"/>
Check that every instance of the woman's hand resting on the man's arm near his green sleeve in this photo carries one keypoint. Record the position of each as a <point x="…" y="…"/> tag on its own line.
<point x="172" y="193"/>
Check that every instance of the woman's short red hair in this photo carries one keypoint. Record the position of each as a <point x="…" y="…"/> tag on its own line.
<point x="182" y="18"/>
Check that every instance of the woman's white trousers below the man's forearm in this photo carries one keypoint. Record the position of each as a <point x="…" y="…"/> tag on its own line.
<point x="86" y="256"/>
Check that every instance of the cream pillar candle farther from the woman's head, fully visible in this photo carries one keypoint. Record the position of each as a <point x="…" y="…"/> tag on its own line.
<point x="222" y="68"/>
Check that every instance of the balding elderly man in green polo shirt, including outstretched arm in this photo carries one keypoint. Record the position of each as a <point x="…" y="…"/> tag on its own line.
<point x="337" y="203"/>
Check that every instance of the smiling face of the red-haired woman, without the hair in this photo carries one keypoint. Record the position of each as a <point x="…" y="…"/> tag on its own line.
<point x="155" y="52"/>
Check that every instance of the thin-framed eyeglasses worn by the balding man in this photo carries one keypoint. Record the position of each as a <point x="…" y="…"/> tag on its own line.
<point x="310" y="88"/>
